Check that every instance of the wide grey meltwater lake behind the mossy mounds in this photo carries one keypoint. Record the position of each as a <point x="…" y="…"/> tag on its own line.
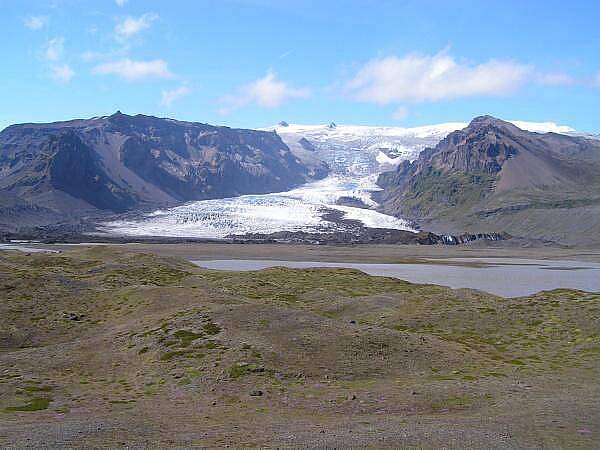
<point x="506" y="277"/>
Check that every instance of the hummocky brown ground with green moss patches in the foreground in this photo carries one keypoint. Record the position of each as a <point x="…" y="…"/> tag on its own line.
<point x="156" y="349"/>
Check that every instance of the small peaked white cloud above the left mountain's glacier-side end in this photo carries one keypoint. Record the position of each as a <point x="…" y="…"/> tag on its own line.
<point x="266" y="92"/>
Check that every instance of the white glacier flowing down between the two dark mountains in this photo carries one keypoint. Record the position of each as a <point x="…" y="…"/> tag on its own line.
<point x="356" y="155"/>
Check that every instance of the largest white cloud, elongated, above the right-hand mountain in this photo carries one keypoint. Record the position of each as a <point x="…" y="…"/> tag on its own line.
<point x="420" y="78"/>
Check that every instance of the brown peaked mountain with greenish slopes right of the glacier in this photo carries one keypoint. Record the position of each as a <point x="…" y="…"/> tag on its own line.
<point x="494" y="176"/>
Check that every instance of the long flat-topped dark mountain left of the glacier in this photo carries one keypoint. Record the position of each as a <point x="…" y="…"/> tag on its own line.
<point x="119" y="163"/>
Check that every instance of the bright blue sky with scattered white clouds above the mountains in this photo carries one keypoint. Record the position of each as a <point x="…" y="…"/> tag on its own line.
<point x="253" y="63"/>
